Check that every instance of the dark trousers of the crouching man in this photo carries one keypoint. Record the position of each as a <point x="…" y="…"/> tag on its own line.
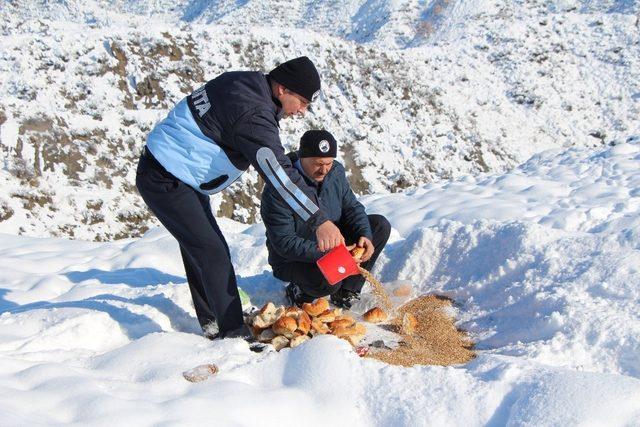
<point x="310" y="279"/>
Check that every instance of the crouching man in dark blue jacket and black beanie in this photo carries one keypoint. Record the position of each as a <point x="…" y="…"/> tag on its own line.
<point x="293" y="249"/>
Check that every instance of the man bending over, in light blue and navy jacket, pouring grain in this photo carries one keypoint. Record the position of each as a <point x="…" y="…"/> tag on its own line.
<point x="203" y="145"/>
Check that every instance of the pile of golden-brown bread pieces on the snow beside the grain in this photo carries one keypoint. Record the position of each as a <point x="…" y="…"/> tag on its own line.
<point x="291" y="326"/>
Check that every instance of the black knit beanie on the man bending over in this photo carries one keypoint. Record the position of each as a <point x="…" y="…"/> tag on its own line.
<point x="298" y="75"/>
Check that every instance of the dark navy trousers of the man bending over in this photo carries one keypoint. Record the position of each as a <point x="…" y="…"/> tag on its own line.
<point x="187" y="215"/>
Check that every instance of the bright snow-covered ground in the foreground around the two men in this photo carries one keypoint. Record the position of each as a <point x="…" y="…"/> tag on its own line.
<point x="543" y="261"/>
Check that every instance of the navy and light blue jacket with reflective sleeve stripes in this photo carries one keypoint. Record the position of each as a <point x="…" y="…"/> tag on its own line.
<point x="212" y="136"/>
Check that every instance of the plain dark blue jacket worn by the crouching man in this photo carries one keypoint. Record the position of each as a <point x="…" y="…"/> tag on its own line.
<point x="291" y="240"/>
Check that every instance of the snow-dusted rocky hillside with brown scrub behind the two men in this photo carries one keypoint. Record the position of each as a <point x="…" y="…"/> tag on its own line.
<point x="414" y="93"/>
